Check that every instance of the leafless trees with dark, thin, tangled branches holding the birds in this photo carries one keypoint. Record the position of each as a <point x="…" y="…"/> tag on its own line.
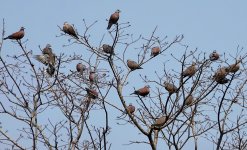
<point x="201" y="99"/>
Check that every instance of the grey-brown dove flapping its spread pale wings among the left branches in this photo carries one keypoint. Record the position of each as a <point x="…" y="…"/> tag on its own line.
<point x="47" y="56"/>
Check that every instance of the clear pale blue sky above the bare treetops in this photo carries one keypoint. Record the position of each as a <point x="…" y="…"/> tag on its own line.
<point x="206" y="25"/>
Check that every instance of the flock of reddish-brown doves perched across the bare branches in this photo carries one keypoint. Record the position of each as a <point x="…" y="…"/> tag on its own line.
<point x="48" y="58"/>
